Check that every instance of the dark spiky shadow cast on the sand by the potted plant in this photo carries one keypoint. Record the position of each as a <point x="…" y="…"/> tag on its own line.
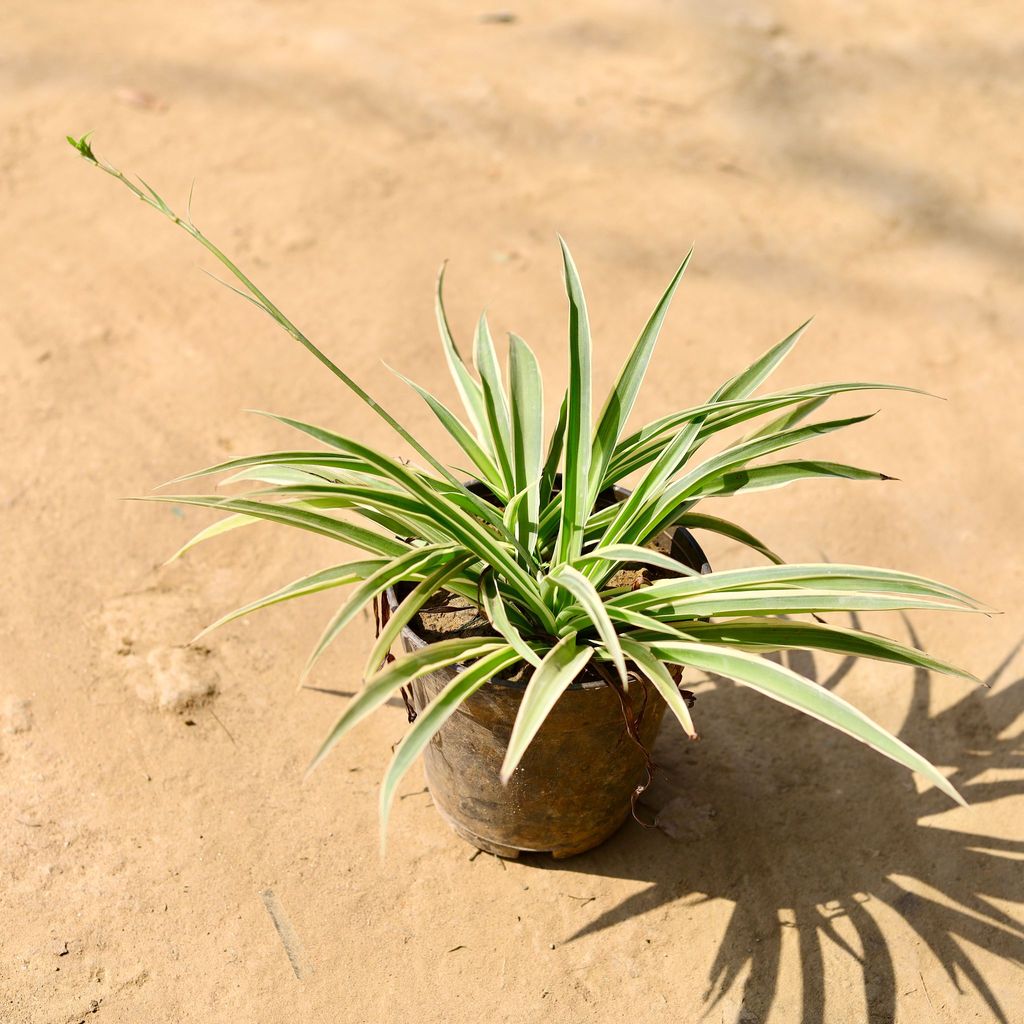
<point x="825" y="831"/>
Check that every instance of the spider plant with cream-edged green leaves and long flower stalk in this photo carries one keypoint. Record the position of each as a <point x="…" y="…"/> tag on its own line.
<point x="538" y="554"/>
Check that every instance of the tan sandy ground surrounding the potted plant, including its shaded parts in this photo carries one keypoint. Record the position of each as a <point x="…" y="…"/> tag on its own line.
<point x="837" y="159"/>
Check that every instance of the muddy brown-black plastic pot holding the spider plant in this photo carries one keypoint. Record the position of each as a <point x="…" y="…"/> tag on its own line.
<point x="573" y="789"/>
